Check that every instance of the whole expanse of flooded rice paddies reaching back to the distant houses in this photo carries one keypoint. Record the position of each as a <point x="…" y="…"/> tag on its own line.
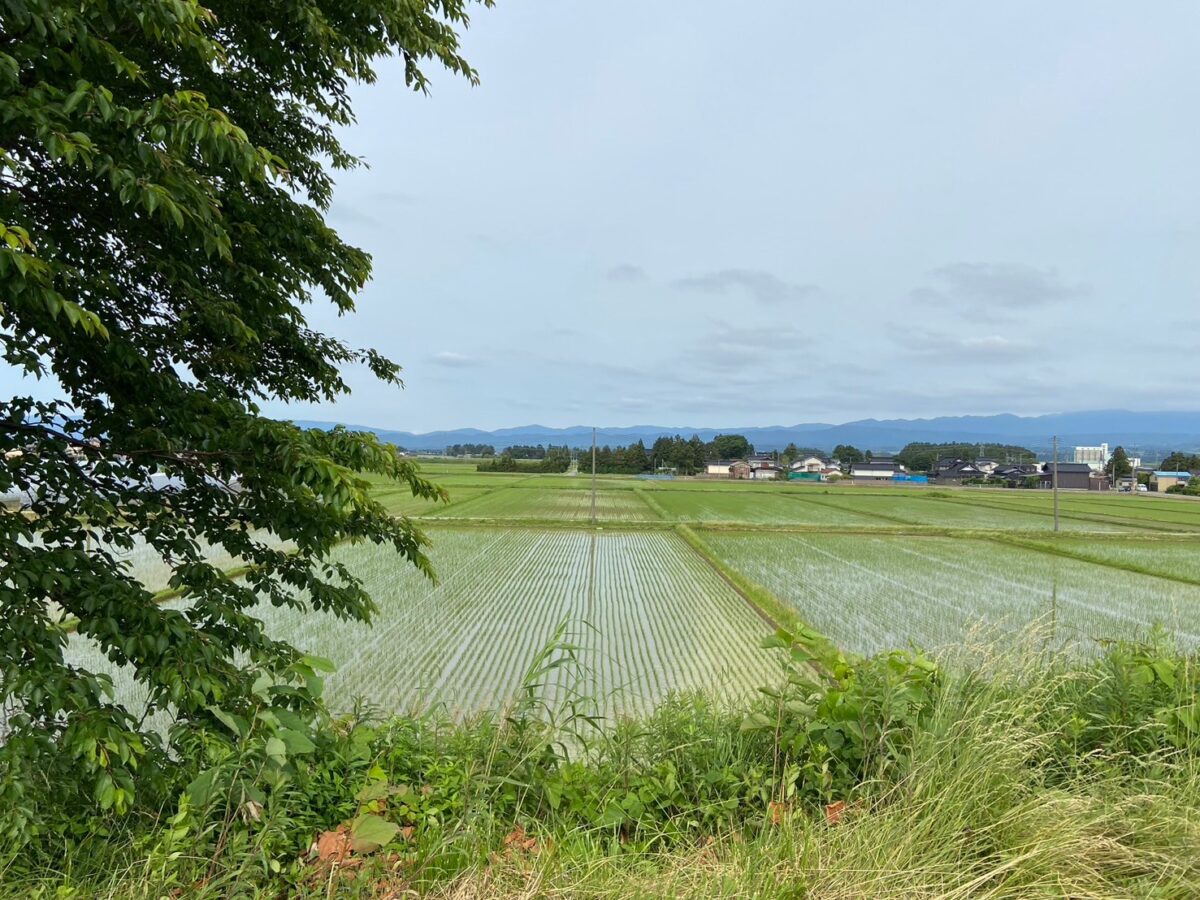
<point x="651" y="613"/>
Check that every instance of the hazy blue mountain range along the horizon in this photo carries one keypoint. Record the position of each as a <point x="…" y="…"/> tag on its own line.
<point x="1149" y="435"/>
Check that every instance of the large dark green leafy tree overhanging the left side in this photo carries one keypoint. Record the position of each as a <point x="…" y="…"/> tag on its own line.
<point x="165" y="173"/>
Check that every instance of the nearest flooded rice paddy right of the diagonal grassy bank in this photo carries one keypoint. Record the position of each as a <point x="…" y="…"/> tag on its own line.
<point x="871" y="593"/>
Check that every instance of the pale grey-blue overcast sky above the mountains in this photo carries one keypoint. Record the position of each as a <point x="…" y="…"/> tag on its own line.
<point x="711" y="214"/>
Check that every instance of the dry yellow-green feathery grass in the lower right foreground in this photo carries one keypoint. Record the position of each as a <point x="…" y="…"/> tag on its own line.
<point x="987" y="809"/>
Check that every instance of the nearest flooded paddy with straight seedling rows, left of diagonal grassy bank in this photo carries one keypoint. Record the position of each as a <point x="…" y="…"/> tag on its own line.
<point x="650" y="616"/>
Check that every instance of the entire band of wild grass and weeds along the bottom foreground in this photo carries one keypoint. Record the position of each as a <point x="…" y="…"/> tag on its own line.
<point x="1033" y="776"/>
